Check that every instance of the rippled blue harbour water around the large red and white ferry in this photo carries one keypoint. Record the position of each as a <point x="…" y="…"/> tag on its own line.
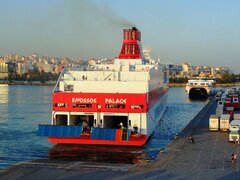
<point x="22" y="108"/>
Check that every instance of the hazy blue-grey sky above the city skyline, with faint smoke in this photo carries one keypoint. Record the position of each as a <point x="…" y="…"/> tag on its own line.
<point x="204" y="32"/>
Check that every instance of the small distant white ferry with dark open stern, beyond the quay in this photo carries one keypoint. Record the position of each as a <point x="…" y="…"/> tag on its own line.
<point x="200" y="88"/>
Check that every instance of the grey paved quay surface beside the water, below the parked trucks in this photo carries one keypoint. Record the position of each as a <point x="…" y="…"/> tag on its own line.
<point x="209" y="157"/>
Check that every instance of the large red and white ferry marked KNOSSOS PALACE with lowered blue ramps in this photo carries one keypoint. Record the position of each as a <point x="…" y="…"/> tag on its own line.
<point x="118" y="103"/>
